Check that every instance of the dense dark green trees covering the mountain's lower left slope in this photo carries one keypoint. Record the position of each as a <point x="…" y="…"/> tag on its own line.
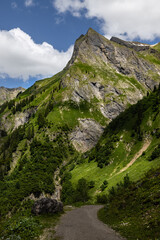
<point x="32" y="175"/>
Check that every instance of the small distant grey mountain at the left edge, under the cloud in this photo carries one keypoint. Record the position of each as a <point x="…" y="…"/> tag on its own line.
<point x="7" y="94"/>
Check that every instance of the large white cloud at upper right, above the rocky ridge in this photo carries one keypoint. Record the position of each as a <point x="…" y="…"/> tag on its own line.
<point x="124" y="18"/>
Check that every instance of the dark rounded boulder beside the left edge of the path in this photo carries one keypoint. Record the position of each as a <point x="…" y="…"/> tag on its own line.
<point x="47" y="205"/>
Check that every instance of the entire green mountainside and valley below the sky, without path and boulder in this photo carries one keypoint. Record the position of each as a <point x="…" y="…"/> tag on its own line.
<point x="90" y="134"/>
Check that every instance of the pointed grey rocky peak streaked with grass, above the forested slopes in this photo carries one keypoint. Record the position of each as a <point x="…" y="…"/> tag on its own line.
<point x="103" y="76"/>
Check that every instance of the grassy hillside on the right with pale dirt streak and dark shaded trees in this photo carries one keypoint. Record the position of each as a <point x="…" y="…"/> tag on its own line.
<point x="129" y="145"/>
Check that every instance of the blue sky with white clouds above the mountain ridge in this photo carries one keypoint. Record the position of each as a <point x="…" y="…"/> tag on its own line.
<point x="37" y="36"/>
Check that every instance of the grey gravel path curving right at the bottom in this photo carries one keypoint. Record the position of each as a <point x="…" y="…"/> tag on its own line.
<point x="83" y="224"/>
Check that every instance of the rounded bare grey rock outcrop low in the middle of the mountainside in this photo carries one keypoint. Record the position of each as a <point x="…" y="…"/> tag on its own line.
<point x="86" y="135"/>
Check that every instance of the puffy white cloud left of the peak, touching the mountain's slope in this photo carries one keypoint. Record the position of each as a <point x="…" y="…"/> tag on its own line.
<point x="22" y="58"/>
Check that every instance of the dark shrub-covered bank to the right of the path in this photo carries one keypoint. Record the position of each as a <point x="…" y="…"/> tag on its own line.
<point x="133" y="208"/>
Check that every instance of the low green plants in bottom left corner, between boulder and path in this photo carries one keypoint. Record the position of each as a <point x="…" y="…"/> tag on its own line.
<point x="22" y="225"/>
